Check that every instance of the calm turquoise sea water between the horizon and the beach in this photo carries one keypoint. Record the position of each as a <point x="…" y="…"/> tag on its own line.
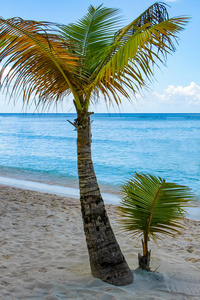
<point x="42" y="147"/>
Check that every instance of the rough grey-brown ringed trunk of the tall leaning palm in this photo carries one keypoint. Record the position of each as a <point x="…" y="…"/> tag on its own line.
<point x="106" y="260"/>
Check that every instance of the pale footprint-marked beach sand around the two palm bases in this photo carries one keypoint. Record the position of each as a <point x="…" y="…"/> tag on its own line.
<point x="43" y="254"/>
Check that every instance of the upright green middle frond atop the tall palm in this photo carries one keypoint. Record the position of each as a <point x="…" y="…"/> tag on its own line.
<point x="92" y="35"/>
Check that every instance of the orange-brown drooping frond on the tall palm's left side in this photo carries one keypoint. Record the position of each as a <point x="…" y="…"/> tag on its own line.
<point x="40" y="65"/>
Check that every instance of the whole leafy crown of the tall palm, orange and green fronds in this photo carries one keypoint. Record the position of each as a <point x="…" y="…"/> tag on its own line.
<point x="92" y="57"/>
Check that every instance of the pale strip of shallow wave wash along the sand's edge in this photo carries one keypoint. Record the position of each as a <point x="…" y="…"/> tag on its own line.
<point x="193" y="212"/>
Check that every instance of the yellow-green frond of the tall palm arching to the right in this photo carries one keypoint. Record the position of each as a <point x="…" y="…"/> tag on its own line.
<point x="137" y="48"/>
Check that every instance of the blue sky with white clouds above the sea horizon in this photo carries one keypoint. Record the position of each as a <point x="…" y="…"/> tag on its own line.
<point x="175" y="88"/>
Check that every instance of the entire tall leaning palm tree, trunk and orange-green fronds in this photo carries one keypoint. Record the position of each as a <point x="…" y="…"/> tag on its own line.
<point x="92" y="58"/>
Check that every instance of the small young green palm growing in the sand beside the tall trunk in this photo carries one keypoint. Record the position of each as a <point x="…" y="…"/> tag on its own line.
<point x="150" y="207"/>
